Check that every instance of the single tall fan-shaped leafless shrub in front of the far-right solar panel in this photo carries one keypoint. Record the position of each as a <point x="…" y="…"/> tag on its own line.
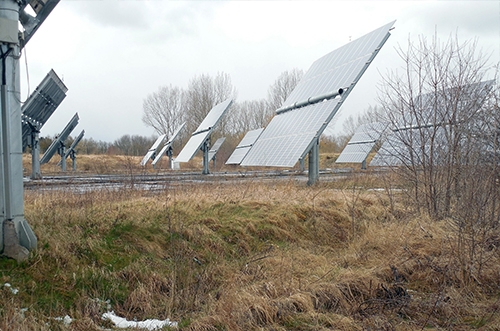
<point x="432" y="106"/>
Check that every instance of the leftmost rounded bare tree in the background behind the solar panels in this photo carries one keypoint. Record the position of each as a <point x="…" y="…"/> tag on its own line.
<point x="163" y="110"/>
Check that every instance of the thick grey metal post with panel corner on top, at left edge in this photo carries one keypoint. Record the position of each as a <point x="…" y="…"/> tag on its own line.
<point x="16" y="236"/>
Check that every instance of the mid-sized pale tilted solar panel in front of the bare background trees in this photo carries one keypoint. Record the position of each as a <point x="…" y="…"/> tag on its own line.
<point x="200" y="136"/>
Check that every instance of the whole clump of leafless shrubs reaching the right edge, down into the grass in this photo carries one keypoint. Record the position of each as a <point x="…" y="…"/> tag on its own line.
<point x="444" y="116"/>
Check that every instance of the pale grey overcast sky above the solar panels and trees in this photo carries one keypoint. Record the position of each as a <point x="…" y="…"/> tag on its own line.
<point x="112" y="54"/>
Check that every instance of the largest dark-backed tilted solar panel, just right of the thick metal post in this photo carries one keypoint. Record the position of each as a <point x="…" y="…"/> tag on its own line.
<point x="41" y="104"/>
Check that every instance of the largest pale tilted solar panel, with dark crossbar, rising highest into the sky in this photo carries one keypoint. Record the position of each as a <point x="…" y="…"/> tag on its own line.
<point x="295" y="130"/>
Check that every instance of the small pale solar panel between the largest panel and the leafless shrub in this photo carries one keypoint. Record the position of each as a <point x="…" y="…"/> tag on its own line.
<point x="361" y="143"/>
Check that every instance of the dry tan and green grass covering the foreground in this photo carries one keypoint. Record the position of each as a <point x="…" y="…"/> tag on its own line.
<point x="244" y="256"/>
